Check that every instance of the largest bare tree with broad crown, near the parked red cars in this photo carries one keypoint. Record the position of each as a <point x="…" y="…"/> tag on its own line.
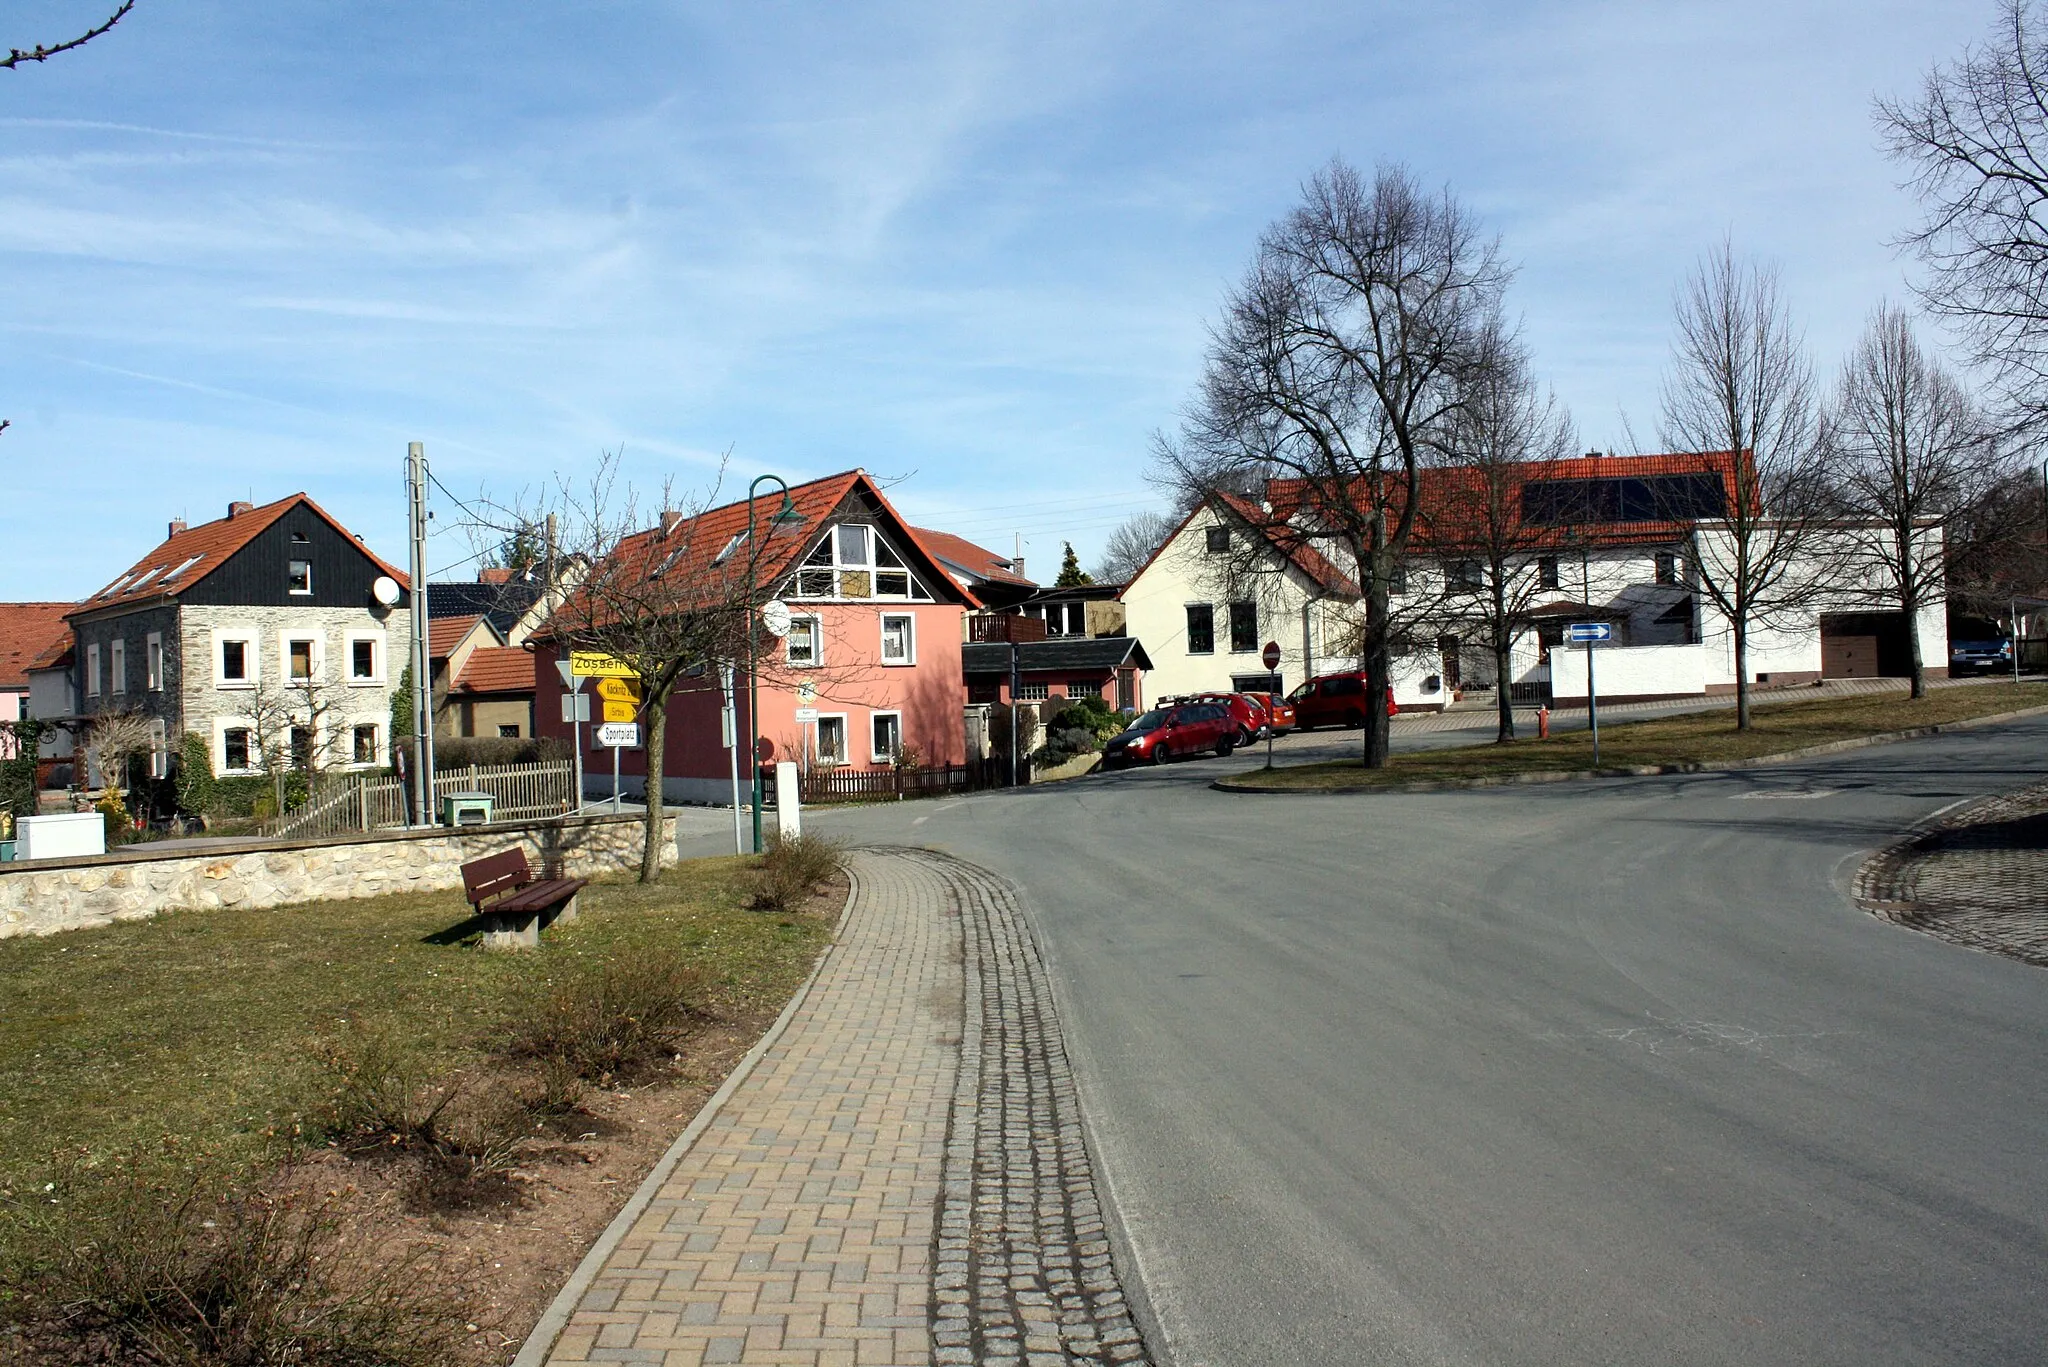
<point x="1338" y="372"/>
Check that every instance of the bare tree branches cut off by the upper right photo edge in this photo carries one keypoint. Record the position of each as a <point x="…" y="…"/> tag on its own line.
<point x="1977" y="144"/>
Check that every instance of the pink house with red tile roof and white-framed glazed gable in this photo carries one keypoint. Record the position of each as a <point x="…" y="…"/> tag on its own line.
<point x="873" y="647"/>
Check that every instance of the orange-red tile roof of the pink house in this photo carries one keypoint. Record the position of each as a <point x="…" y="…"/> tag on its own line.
<point x="710" y="554"/>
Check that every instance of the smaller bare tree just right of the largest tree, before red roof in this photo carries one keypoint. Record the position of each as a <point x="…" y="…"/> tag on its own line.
<point x="1474" y="515"/>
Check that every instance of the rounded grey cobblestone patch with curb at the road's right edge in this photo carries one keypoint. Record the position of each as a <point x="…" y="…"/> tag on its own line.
<point x="1977" y="878"/>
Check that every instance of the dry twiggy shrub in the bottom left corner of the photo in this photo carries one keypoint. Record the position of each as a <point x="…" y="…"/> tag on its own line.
<point x="177" y="1270"/>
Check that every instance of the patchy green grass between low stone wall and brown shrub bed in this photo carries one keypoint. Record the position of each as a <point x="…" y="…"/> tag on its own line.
<point x="204" y="1030"/>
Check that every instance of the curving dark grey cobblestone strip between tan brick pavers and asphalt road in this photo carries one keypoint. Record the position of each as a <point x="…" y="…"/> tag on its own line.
<point x="1023" y="1257"/>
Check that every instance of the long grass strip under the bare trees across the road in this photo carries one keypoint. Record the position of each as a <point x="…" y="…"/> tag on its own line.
<point x="1695" y="739"/>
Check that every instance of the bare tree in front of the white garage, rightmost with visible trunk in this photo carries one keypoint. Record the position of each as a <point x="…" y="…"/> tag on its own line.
<point x="1906" y="448"/>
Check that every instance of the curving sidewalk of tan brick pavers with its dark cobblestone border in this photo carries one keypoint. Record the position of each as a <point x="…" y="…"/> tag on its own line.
<point x="902" y="1177"/>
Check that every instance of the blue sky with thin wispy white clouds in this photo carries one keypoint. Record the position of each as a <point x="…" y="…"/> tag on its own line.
<point x="259" y="249"/>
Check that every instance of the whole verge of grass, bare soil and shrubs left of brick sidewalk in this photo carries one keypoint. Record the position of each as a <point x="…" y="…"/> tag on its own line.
<point x="220" y="1132"/>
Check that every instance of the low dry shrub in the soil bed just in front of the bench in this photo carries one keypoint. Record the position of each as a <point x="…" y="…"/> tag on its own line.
<point x="607" y="1020"/>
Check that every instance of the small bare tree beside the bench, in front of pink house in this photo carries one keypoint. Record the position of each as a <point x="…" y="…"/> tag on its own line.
<point x="656" y="597"/>
